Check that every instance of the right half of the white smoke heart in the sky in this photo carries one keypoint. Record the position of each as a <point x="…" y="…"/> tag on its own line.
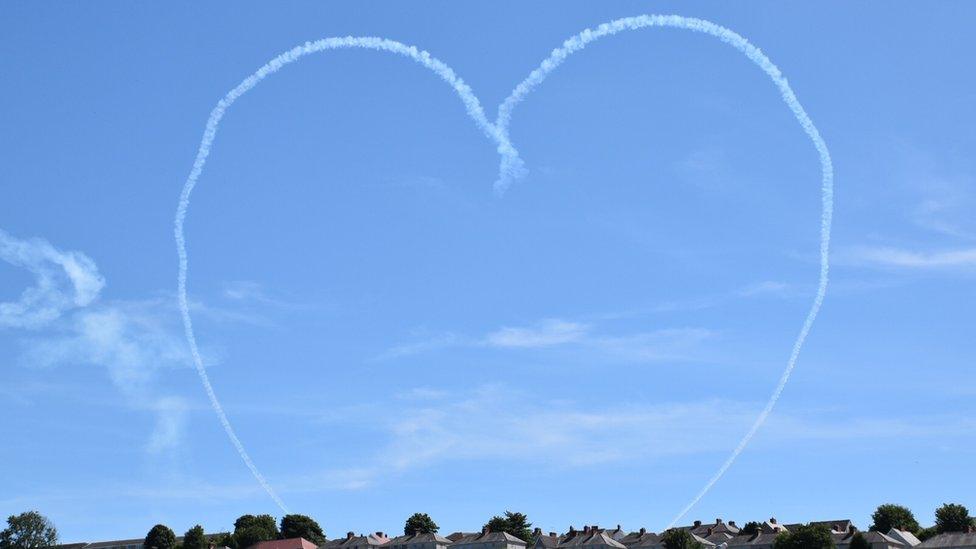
<point x="509" y="169"/>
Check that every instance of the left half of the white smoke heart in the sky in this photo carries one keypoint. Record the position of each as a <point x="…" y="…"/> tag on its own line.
<point x="471" y="104"/>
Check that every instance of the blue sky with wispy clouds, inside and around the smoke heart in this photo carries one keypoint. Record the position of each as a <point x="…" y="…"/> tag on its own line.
<point x="389" y="336"/>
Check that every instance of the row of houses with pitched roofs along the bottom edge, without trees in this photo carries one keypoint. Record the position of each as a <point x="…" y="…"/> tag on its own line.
<point x="716" y="535"/>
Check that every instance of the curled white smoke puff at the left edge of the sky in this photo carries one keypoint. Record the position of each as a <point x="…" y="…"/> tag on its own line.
<point x="62" y="281"/>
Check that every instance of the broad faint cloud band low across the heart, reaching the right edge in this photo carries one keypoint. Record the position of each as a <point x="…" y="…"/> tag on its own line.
<point x="498" y="422"/>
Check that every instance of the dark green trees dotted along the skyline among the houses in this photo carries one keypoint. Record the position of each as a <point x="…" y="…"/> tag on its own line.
<point x="32" y="530"/>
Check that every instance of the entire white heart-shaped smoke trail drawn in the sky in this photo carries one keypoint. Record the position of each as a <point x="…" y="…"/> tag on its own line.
<point x="511" y="168"/>
